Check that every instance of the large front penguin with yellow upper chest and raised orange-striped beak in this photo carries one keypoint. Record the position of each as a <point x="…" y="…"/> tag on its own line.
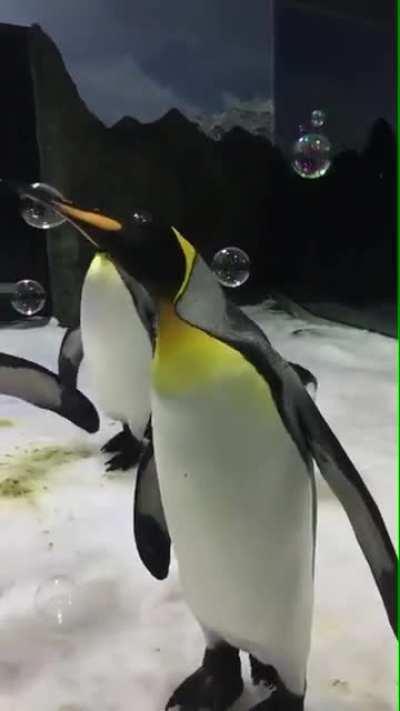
<point x="235" y="436"/>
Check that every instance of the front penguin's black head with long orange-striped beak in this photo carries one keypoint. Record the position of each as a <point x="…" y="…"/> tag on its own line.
<point x="145" y="248"/>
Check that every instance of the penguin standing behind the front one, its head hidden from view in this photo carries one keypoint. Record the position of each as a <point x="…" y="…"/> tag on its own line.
<point x="115" y="337"/>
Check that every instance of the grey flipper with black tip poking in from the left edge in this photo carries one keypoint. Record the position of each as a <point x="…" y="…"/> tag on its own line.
<point x="33" y="383"/>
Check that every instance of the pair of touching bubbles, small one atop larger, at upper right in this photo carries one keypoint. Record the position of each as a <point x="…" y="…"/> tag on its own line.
<point x="312" y="151"/>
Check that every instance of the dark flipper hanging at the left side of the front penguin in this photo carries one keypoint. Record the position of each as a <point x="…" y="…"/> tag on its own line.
<point x="150" y="528"/>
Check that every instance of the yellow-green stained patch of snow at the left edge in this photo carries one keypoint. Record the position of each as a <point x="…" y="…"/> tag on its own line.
<point x="26" y="473"/>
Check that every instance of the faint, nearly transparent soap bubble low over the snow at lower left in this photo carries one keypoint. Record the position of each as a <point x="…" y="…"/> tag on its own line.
<point x="54" y="601"/>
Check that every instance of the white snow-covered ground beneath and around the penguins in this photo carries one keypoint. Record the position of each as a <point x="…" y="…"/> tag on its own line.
<point x="125" y="640"/>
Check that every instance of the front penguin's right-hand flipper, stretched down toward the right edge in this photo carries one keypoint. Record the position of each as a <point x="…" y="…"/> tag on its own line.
<point x="361" y="509"/>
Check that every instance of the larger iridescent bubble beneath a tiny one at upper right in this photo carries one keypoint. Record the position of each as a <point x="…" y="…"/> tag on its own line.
<point x="311" y="155"/>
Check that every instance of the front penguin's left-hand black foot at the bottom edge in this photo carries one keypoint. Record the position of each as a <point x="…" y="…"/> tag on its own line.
<point x="215" y="686"/>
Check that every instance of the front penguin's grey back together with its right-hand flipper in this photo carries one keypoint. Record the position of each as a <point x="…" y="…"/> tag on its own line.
<point x="315" y="440"/>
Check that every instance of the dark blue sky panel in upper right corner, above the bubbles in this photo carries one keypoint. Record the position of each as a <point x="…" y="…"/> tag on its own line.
<point x="342" y="63"/>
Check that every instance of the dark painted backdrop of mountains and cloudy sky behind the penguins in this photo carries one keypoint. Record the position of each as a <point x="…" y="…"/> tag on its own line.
<point x="329" y="241"/>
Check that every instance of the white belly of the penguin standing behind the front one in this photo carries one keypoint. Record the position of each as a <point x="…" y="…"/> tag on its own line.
<point x="116" y="346"/>
